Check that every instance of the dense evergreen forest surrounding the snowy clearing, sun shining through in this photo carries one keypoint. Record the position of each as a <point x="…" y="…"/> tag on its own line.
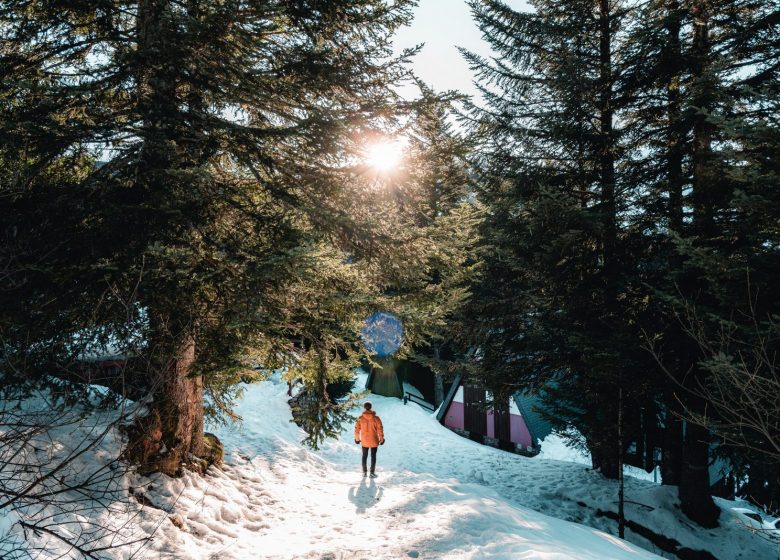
<point x="195" y="193"/>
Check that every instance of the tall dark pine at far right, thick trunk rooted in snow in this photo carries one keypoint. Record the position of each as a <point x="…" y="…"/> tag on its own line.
<point x="689" y="85"/>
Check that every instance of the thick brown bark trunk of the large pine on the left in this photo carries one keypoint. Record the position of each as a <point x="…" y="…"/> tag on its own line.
<point x="170" y="437"/>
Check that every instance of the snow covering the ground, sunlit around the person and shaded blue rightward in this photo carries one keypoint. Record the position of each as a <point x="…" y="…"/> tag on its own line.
<point x="437" y="496"/>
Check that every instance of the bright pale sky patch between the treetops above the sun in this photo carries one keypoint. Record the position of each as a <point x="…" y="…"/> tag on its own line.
<point x="444" y="25"/>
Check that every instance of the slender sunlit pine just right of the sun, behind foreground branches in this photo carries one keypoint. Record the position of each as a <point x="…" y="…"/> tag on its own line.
<point x="443" y="228"/>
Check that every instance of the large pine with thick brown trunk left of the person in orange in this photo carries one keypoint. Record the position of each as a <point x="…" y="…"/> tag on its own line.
<point x="177" y="156"/>
